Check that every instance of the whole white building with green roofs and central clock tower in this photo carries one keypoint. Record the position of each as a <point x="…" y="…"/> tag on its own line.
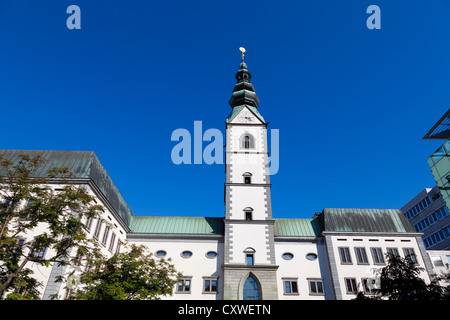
<point x="246" y="254"/>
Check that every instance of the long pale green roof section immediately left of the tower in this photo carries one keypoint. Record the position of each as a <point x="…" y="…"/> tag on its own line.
<point x="177" y="225"/>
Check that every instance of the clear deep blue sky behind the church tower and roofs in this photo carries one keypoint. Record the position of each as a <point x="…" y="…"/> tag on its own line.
<point x="351" y="104"/>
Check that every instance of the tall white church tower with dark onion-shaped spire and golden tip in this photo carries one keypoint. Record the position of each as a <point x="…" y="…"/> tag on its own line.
<point x="249" y="254"/>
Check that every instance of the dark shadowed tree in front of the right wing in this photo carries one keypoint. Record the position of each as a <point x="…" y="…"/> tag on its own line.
<point x="400" y="280"/>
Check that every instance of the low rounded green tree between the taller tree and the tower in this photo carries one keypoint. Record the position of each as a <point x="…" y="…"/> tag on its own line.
<point x="131" y="275"/>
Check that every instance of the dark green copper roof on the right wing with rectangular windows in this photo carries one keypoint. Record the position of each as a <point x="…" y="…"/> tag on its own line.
<point x="364" y="220"/>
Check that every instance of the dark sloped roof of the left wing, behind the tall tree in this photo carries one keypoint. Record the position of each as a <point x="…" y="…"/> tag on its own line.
<point x="83" y="165"/>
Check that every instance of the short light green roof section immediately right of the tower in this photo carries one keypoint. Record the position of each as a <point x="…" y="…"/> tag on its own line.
<point x="296" y="228"/>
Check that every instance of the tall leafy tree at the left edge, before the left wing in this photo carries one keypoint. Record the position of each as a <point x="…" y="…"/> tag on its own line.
<point x="39" y="225"/>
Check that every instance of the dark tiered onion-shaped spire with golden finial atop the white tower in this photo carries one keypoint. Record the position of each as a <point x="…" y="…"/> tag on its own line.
<point x="243" y="92"/>
